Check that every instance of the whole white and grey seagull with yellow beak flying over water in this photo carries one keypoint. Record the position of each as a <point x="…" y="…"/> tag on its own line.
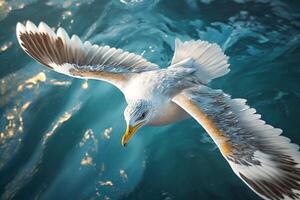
<point x="264" y="160"/>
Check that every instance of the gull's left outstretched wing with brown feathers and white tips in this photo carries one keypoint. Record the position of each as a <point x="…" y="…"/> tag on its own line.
<point x="72" y="57"/>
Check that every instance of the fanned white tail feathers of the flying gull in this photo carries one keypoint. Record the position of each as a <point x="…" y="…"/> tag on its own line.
<point x="209" y="59"/>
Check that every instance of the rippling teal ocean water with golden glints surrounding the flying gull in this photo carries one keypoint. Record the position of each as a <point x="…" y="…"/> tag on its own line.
<point x="60" y="138"/>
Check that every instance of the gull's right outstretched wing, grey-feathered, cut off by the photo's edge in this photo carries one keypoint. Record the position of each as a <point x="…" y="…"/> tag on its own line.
<point x="267" y="162"/>
